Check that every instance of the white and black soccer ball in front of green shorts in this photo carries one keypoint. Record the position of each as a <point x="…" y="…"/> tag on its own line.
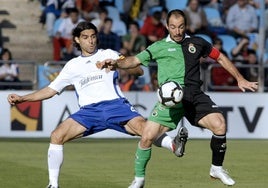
<point x="170" y="93"/>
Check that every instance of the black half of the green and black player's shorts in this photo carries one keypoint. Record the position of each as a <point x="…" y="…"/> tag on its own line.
<point x="197" y="106"/>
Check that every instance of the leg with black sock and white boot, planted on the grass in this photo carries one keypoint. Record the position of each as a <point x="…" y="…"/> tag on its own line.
<point x="216" y="123"/>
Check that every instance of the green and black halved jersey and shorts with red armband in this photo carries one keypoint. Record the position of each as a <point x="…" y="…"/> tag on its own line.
<point x="180" y="62"/>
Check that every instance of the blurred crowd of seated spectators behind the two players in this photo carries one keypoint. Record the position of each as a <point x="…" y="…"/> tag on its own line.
<point x="129" y="26"/>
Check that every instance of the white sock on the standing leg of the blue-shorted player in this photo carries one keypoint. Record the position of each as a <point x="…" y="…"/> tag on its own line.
<point x="55" y="159"/>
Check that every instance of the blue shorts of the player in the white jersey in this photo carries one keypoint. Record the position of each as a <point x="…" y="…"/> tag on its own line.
<point x="113" y="114"/>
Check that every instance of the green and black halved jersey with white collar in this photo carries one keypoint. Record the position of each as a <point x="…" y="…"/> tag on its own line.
<point x="177" y="61"/>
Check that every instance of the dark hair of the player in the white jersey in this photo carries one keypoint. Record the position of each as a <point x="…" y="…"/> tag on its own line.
<point x="81" y="27"/>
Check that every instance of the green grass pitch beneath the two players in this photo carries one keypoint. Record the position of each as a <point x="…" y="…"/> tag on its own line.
<point x="108" y="163"/>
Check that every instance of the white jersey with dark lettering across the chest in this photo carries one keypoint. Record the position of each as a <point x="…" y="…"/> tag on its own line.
<point x="92" y="85"/>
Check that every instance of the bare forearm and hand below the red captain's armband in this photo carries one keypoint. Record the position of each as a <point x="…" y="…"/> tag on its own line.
<point x="243" y="84"/>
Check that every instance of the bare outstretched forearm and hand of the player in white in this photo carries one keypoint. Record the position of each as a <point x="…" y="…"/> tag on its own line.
<point x="42" y="94"/>
